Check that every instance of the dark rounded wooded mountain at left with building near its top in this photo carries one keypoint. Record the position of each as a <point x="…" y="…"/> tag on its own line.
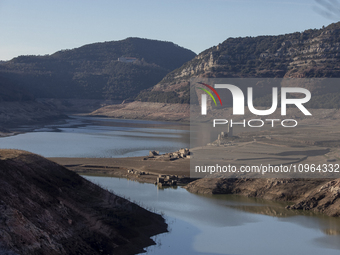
<point x="108" y="70"/>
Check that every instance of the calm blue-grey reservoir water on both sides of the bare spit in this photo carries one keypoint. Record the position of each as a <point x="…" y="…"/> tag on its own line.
<point x="215" y="224"/>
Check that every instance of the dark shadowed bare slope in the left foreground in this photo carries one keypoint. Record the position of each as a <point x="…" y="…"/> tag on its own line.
<point x="47" y="209"/>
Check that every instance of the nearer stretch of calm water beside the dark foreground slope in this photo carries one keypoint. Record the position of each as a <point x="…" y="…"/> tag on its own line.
<point x="225" y="224"/>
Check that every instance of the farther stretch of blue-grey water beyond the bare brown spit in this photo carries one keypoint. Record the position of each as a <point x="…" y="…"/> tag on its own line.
<point x="101" y="137"/>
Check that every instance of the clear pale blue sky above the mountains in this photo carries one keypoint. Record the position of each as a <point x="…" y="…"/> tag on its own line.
<point x="44" y="26"/>
